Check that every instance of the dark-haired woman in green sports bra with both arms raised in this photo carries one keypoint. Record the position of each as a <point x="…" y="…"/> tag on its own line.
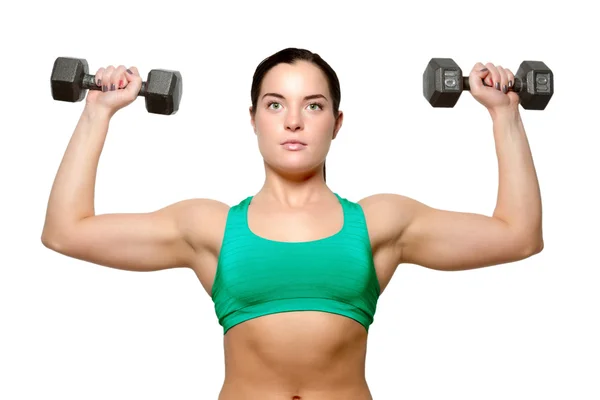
<point x="296" y="270"/>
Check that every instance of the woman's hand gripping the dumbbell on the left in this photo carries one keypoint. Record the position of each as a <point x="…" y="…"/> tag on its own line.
<point x="120" y="87"/>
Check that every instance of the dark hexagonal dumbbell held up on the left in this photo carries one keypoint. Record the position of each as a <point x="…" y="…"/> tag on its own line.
<point x="70" y="79"/>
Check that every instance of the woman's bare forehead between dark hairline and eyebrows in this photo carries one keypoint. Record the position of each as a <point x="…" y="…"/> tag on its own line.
<point x="298" y="78"/>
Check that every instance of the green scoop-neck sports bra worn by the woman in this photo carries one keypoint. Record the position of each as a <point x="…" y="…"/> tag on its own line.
<point x="257" y="276"/>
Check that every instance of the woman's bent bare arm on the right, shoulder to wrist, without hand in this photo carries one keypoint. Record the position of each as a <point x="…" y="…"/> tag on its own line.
<point x="446" y="240"/>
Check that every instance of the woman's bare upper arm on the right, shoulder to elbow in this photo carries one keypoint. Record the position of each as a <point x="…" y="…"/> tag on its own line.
<point x="408" y="231"/>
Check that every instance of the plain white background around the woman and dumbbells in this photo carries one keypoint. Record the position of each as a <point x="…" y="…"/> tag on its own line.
<point x="520" y="331"/>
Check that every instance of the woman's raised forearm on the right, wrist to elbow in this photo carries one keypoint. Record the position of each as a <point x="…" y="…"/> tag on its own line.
<point x="519" y="200"/>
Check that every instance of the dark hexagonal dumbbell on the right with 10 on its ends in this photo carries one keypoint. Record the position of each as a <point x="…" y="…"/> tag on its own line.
<point x="443" y="83"/>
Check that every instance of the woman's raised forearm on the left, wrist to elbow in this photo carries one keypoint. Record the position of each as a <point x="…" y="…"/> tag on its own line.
<point x="72" y="195"/>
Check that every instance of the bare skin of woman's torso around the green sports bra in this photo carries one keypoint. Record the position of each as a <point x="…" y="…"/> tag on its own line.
<point x="305" y="355"/>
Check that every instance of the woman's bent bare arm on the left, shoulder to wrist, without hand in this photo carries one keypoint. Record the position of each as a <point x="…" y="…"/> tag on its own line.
<point x="166" y="238"/>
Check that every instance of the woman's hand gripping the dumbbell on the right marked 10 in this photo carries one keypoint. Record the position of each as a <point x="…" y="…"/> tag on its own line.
<point x="492" y="87"/>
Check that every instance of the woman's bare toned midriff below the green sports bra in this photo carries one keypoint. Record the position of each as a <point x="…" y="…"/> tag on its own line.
<point x="308" y="350"/>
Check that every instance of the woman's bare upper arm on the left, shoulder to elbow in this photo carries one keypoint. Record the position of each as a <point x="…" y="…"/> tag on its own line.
<point x="172" y="237"/>
